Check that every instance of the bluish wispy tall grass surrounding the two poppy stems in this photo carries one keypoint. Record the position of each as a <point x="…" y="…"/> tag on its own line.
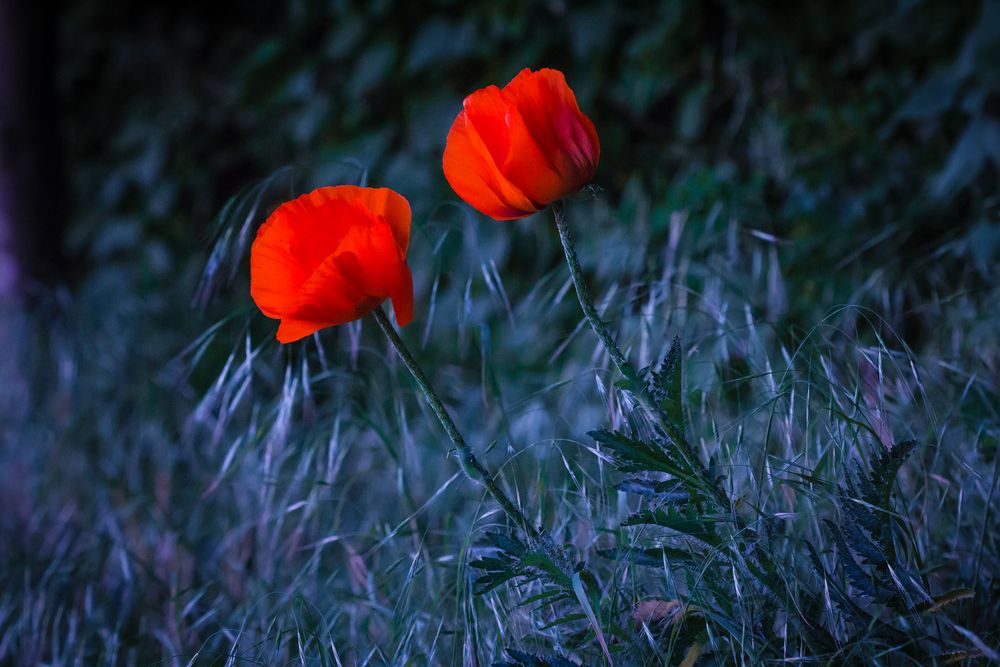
<point x="238" y="502"/>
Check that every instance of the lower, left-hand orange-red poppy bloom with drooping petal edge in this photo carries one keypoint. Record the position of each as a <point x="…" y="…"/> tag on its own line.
<point x="332" y="256"/>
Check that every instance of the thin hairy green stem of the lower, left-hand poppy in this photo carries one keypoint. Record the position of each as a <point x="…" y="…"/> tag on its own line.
<point x="471" y="465"/>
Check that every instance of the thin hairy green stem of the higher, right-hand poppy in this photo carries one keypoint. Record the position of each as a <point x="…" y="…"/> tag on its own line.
<point x="636" y="386"/>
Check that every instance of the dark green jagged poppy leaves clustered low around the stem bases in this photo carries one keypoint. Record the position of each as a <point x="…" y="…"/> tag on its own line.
<point x="725" y="549"/>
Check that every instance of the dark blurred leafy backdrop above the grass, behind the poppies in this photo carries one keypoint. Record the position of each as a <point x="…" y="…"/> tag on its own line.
<point x="870" y="130"/>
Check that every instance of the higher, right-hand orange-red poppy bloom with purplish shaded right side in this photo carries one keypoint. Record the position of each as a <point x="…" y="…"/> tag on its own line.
<point x="513" y="151"/>
